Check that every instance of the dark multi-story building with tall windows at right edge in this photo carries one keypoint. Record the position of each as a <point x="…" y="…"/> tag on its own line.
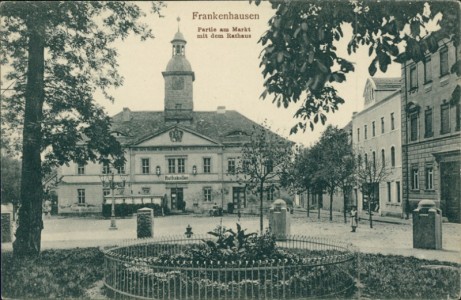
<point x="431" y="131"/>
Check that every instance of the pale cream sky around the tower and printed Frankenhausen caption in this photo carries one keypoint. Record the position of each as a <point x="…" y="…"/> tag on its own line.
<point x="227" y="71"/>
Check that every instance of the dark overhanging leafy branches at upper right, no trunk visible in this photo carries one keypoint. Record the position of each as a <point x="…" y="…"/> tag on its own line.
<point x="300" y="60"/>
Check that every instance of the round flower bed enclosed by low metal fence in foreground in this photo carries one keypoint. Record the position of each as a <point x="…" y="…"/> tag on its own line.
<point x="228" y="264"/>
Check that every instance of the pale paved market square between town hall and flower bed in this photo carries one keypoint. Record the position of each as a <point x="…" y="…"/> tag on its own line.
<point x="385" y="238"/>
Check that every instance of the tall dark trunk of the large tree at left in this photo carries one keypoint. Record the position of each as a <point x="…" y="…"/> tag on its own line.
<point x="30" y="224"/>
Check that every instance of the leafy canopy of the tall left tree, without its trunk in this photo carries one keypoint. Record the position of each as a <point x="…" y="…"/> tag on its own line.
<point x="79" y="60"/>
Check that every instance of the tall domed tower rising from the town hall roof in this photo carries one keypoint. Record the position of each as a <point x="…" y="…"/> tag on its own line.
<point x="179" y="79"/>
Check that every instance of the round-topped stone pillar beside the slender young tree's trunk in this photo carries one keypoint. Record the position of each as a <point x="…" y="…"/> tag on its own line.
<point x="279" y="220"/>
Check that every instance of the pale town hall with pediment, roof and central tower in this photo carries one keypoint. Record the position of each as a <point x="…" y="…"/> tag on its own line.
<point x="187" y="158"/>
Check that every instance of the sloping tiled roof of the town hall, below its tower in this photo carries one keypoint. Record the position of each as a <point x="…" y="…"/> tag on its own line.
<point x="229" y="127"/>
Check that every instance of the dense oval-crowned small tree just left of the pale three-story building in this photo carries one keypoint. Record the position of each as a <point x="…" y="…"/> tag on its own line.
<point x="336" y="165"/>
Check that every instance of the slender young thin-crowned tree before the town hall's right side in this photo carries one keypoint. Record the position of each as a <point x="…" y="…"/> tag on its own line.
<point x="264" y="158"/>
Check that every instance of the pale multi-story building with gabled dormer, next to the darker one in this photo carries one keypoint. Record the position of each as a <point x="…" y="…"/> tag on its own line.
<point x="376" y="138"/>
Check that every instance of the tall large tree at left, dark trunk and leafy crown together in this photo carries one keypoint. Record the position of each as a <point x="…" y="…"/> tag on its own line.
<point x="59" y="54"/>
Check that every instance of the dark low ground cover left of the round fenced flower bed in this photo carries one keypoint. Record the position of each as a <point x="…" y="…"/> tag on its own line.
<point x="54" y="274"/>
